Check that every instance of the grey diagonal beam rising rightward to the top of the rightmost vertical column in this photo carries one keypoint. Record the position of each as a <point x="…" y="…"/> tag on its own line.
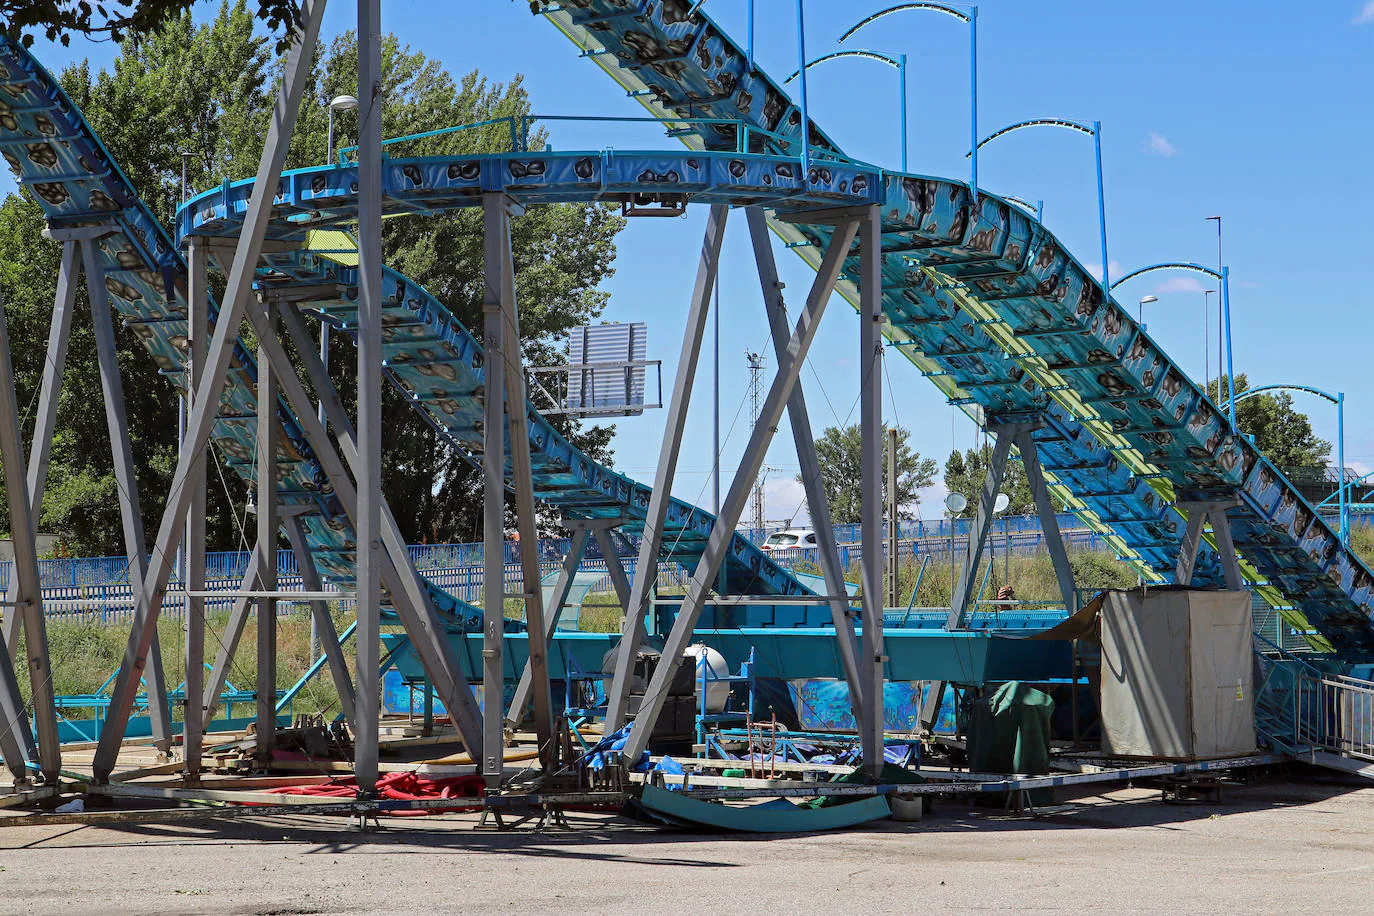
<point x="754" y="458"/>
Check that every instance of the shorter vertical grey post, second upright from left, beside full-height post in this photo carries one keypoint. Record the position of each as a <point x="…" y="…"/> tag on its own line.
<point x="267" y="538"/>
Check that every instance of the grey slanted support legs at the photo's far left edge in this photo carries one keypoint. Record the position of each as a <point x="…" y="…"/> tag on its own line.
<point x="30" y="593"/>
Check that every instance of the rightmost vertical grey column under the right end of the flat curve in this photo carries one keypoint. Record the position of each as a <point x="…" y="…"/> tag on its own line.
<point x="870" y="472"/>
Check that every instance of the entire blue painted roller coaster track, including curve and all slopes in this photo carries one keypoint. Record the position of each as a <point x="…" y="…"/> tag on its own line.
<point x="979" y="296"/>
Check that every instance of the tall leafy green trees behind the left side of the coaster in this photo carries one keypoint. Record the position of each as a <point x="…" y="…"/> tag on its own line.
<point x="207" y="91"/>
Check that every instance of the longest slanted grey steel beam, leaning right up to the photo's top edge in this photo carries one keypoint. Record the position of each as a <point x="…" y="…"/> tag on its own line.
<point x="207" y="399"/>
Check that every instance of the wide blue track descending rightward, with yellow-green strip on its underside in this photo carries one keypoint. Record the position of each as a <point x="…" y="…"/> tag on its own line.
<point x="990" y="306"/>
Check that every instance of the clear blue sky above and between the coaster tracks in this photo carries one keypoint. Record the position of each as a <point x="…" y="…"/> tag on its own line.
<point x="1221" y="108"/>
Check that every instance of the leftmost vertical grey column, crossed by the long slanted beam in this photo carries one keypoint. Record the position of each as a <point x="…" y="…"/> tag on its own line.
<point x="194" y="712"/>
